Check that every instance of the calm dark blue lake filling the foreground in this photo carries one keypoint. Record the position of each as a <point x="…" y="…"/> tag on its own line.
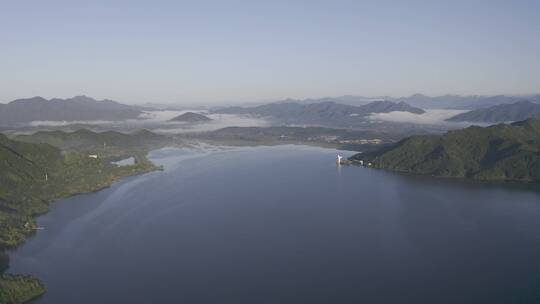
<point x="286" y="225"/>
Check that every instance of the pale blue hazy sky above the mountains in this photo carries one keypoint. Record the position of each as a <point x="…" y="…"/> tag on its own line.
<point x="216" y="51"/>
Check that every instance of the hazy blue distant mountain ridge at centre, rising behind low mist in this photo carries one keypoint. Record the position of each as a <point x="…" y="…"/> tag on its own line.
<point x="326" y="113"/>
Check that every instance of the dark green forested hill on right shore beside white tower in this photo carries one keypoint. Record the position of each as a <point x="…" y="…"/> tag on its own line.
<point x="500" y="152"/>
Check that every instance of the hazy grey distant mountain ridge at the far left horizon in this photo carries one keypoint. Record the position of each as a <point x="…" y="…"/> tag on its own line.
<point x="78" y="108"/>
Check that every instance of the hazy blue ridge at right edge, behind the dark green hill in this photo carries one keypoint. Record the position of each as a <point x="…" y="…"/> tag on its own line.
<point x="520" y="110"/>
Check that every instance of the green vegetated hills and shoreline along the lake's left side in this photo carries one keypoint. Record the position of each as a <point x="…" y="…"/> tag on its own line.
<point x="52" y="165"/>
